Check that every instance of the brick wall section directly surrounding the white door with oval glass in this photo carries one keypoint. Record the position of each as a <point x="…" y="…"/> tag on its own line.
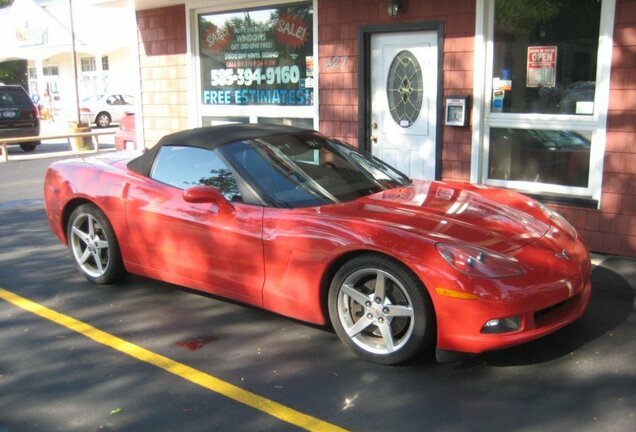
<point x="339" y="21"/>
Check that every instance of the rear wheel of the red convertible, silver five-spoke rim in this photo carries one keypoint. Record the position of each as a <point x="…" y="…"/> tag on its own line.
<point x="94" y="246"/>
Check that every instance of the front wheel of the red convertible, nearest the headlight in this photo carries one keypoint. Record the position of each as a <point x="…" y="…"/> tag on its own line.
<point x="380" y="309"/>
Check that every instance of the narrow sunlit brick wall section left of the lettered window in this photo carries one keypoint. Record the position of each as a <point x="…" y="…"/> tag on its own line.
<point x="162" y="62"/>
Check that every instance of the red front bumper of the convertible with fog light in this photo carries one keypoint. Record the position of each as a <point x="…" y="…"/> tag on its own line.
<point x="553" y="292"/>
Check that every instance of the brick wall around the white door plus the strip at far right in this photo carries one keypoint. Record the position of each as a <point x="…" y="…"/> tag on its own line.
<point x="612" y="229"/>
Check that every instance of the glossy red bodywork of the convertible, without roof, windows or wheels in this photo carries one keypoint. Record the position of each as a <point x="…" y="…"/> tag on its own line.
<point x="282" y="259"/>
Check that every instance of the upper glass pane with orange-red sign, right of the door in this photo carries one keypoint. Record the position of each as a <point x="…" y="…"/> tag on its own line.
<point x="545" y="56"/>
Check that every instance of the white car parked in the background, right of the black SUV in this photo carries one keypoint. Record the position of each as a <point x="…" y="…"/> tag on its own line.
<point x="106" y="109"/>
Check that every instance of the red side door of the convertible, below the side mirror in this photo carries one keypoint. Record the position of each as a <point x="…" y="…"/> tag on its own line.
<point x="193" y="244"/>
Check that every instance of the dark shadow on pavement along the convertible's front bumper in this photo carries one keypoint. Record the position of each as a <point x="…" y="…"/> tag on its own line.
<point x="611" y="305"/>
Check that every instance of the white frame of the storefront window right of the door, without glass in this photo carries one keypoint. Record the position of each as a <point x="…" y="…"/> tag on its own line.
<point x="484" y="119"/>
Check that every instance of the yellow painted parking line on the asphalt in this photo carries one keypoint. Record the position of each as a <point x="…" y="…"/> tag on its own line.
<point x="188" y="373"/>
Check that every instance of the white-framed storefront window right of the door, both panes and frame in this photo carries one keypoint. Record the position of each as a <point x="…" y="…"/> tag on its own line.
<point x="546" y="93"/>
